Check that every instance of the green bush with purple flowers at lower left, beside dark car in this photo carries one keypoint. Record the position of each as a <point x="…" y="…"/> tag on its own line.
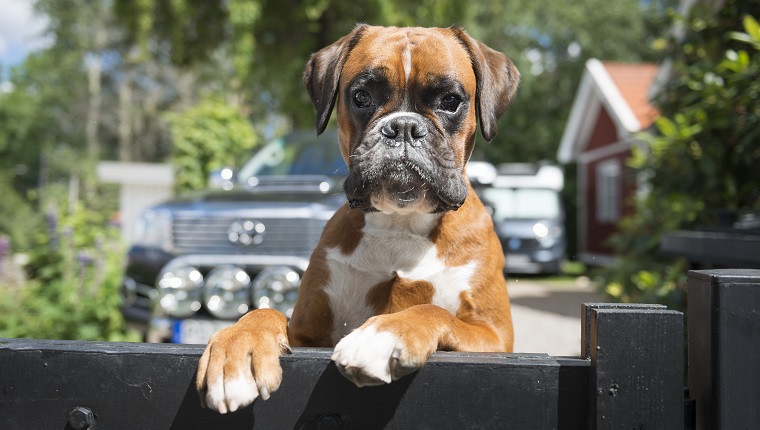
<point x="73" y="286"/>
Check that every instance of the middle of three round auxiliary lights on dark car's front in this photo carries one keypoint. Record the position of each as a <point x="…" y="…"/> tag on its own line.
<point x="227" y="292"/>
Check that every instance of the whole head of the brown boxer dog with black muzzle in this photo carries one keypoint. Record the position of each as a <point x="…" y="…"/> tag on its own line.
<point x="409" y="100"/>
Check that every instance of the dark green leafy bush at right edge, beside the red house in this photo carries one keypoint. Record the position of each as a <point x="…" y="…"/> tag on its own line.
<point x="703" y="161"/>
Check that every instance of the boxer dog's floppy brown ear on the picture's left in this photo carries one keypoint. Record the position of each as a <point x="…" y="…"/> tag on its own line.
<point x="322" y="74"/>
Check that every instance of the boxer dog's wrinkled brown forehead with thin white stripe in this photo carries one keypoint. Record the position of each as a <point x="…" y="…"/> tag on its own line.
<point x="410" y="56"/>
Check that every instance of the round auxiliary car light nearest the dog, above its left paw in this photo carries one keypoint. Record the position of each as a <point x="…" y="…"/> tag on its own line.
<point x="276" y="288"/>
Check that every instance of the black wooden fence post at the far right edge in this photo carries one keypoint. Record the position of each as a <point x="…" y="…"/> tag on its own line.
<point x="724" y="347"/>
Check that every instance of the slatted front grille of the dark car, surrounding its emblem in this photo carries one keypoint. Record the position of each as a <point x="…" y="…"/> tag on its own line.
<point x="283" y="236"/>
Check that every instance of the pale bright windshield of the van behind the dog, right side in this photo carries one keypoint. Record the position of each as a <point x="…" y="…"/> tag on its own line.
<point x="525" y="203"/>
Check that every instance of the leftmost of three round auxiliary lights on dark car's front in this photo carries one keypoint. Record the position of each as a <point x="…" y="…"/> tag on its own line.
<point x="179" y="290"/>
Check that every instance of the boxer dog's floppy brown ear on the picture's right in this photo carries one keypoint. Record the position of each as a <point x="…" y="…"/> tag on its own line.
<point x="497" y="81"/>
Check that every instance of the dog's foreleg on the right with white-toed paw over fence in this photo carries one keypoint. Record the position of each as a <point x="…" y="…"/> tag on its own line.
<point x="387" y="347"/>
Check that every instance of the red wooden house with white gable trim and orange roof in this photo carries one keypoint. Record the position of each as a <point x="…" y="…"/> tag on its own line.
<point x="610" y="108"/>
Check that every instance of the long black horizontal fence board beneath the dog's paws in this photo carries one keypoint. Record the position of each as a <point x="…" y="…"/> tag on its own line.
<point x="151" y="386"/>
